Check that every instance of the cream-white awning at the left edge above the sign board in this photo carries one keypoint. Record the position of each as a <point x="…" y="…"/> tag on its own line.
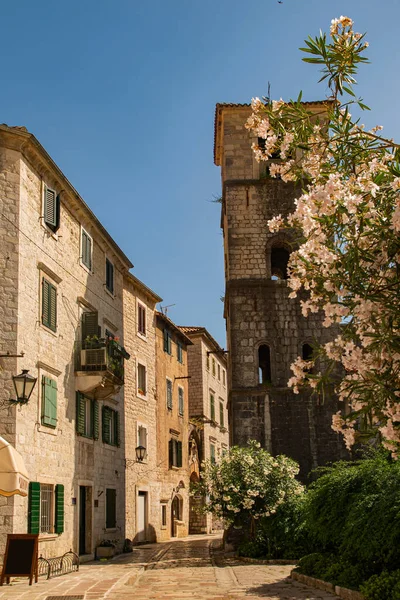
<point x="13" y="474"/>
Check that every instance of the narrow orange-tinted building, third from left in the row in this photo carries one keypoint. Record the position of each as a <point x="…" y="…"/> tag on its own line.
<point x="172" y="427"/>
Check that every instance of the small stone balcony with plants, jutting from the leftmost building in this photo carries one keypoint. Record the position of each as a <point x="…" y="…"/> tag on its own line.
<point x="99" y="367"/>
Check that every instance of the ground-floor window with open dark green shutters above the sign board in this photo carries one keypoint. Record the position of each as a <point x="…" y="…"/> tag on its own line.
<point x="45" y="508"/>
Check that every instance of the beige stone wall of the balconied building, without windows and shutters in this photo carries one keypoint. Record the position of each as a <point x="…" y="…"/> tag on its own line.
<point x="57" y="455"/>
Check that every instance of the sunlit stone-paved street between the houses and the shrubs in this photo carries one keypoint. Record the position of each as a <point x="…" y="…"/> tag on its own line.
<point x="191" y="567"/>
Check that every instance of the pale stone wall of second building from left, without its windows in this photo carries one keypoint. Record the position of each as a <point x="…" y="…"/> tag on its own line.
<point x="140" y="410"/>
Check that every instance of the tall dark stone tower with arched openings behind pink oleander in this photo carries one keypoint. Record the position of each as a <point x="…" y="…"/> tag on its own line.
<point x="265" y="328"/>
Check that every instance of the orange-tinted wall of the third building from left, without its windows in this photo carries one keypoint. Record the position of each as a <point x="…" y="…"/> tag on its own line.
<point x="172" y="425"/>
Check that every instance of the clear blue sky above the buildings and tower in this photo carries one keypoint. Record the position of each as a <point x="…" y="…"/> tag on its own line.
<point x="122" y="95"/>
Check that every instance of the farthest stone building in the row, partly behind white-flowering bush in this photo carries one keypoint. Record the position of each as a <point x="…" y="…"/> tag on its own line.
<point x="208" y="410"/>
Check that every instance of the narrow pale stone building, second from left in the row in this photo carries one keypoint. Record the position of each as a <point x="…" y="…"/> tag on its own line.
<point x="143" y="520"/>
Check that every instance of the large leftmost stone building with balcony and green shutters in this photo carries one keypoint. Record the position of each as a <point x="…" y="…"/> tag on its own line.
<point x="61" y="304"/>
